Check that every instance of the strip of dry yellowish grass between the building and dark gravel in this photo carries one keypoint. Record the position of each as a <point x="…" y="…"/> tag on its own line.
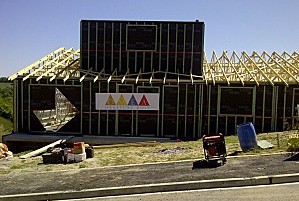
<point x="192" y="150"/>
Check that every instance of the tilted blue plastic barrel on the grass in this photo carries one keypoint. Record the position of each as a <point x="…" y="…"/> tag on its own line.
<point x="247" y="136"/>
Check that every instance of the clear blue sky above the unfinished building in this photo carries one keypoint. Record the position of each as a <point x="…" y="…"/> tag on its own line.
<point x="31" y="29"/>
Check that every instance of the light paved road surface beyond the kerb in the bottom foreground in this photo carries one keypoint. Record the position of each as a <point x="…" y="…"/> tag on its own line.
<point x="285" y="192"/>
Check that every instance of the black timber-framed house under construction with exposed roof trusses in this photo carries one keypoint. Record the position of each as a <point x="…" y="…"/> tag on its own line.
<point x="197" y="95"/>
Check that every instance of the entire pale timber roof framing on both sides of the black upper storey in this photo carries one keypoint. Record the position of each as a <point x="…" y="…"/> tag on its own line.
<point x="245" y="68"/>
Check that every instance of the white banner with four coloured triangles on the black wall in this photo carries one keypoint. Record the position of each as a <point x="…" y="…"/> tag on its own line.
<point x="127" y="101"/>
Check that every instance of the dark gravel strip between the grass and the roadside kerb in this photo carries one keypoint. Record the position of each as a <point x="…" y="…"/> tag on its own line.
<point x="236" y="167"/>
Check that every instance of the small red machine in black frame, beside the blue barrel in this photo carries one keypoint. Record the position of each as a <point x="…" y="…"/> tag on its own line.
<point x="214" y="148"/>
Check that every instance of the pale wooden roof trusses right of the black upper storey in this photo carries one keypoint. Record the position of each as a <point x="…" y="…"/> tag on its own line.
<point x="259" y="68"/>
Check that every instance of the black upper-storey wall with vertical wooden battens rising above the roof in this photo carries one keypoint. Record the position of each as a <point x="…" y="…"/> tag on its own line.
<point x="146" y="45"/>
